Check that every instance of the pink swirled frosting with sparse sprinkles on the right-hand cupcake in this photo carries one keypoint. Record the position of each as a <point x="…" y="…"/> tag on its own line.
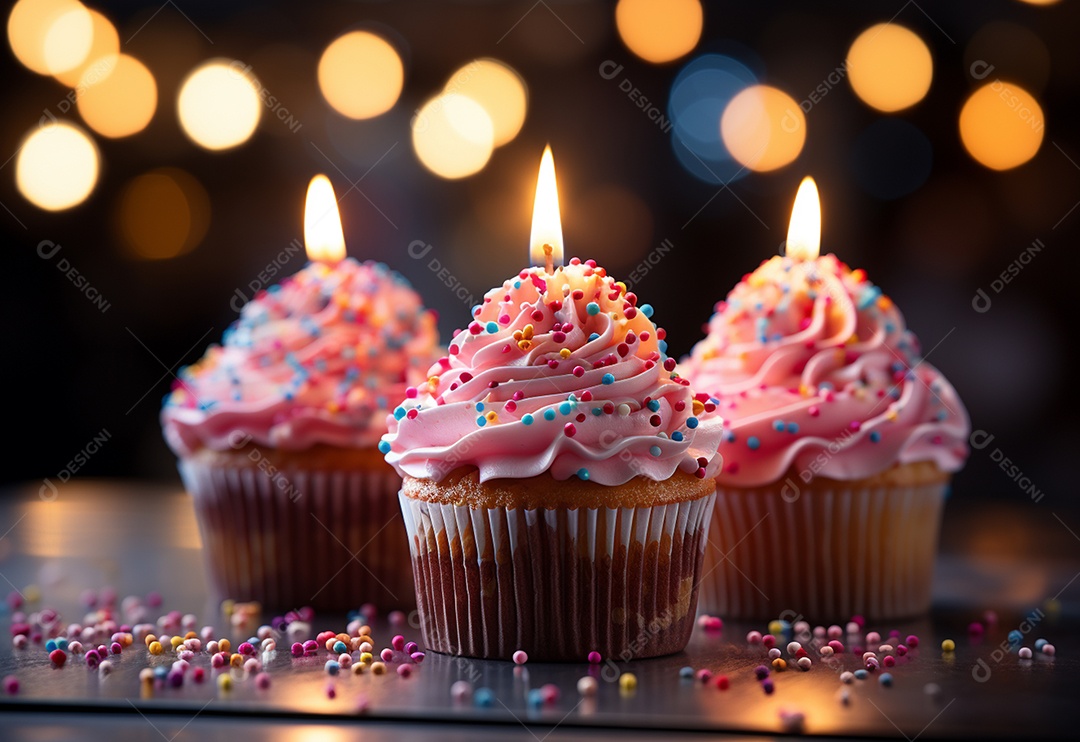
<point x="816" y="372"/>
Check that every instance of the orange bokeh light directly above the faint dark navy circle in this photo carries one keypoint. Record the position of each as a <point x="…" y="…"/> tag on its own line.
<point x="890" y="68"/>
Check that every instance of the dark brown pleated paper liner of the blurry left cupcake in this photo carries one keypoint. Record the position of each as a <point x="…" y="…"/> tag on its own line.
<point x="291" y="538"/>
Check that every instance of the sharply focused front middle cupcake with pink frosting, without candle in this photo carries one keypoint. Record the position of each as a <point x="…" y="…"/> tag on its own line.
<point x="558" y="481"/>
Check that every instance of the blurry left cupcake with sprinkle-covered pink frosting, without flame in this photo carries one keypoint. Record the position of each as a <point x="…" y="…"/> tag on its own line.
<point x="278" y="429"/>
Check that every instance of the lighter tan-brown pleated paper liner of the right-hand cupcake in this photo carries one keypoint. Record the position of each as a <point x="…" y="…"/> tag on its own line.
<point x="823" y="555"/>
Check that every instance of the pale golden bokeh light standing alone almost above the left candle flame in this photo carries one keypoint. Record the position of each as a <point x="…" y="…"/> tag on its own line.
<point x="361" y="75"/>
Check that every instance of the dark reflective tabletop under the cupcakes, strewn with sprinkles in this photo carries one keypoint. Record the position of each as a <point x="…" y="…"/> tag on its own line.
<point x="138" y="538"/>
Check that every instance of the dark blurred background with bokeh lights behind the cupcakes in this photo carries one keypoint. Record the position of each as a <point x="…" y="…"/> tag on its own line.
<point x="148" y="266"/>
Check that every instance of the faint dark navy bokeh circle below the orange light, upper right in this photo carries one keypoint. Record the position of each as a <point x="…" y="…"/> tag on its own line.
<point x="893" y="158"/>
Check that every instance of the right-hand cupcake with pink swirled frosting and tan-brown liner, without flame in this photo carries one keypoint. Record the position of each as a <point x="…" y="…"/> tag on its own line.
<point x="839" y="448"/>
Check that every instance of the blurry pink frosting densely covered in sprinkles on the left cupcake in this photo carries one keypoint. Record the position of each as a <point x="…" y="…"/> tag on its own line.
<point x="316" y="360"/>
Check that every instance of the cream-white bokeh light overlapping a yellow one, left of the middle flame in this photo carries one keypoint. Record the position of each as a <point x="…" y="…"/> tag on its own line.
<point x="453" y="137"/>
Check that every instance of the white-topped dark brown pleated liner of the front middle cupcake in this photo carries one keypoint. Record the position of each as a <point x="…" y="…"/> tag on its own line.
<point x="557" y="584"/>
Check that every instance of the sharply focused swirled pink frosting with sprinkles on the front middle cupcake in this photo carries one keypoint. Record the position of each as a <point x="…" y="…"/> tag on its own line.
<point x="561" y="373"/>
